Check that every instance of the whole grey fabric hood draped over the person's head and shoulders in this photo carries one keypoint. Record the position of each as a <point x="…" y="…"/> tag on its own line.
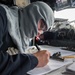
<point x="22" y="27"/>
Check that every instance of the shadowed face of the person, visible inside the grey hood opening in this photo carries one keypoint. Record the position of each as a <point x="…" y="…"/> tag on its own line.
<point x="41" y="27"/>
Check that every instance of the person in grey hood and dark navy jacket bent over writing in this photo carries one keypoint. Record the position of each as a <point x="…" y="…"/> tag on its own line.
<point x="17" y="27"/>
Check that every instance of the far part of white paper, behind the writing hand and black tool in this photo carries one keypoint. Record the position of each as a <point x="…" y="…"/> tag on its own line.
<point x="57" y="49"/>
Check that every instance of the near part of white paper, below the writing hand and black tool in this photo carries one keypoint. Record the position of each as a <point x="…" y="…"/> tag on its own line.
<point x="52" y="65"/>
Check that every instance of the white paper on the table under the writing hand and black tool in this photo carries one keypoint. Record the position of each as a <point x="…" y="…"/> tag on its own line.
<point x="53" y="64"/>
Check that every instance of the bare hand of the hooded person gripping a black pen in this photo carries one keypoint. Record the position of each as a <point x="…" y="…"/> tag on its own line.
<point x="43" y="57"/>
